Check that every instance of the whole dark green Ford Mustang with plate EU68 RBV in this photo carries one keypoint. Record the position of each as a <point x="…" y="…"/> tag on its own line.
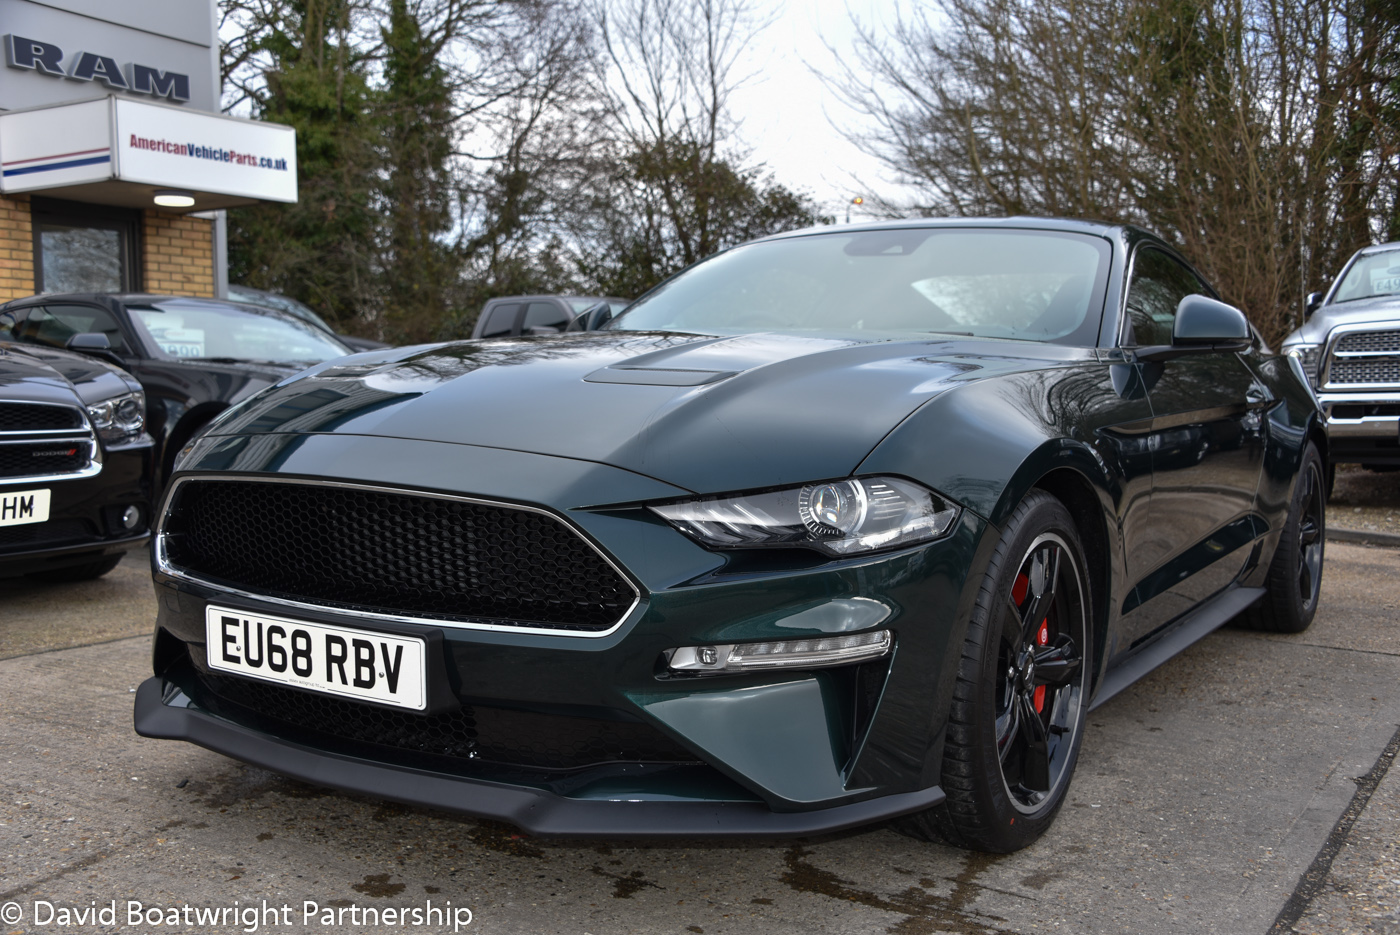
<point x="836" y="527"/>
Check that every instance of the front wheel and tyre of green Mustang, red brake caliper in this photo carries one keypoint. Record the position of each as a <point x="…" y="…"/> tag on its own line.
<point x="1021" y="694"/>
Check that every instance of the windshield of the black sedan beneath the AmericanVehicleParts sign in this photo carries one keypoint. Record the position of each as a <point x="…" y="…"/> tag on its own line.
<point x="234" y="332"/>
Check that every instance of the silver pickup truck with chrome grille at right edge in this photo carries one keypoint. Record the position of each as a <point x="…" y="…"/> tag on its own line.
<point x="1350" y="349"/>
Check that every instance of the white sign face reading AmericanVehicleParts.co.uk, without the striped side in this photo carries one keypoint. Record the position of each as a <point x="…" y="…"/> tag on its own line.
<point x="205" y="153"/>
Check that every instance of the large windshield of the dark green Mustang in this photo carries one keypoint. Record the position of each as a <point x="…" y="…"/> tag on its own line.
<point x="1024" y="285"/>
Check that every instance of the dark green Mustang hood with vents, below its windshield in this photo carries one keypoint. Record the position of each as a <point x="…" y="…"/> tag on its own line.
<point x="705" y="414"/>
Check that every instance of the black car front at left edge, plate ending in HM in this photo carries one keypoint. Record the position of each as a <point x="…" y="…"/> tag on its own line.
<point x="75" y="465"/>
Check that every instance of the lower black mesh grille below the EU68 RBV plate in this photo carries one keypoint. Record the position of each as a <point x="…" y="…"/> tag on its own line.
<point x="472" y="734"/>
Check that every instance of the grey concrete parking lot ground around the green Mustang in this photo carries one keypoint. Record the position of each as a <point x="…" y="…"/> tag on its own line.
<point x="1245" y="780"/>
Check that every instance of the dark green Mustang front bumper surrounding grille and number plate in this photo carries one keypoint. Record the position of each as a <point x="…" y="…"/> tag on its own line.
<point x="761" y="754"/>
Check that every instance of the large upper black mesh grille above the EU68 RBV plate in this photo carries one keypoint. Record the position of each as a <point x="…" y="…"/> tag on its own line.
<point x="394" y="554"/>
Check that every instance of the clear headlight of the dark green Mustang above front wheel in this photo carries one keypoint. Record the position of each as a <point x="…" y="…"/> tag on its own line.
<point x="842" y="517"/>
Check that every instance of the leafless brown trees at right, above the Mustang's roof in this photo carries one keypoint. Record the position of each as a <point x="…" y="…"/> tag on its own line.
<point x="1249" y="132"/>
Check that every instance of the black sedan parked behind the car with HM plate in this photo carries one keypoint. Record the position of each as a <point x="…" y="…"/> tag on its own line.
<point x="194" y="356"/>
